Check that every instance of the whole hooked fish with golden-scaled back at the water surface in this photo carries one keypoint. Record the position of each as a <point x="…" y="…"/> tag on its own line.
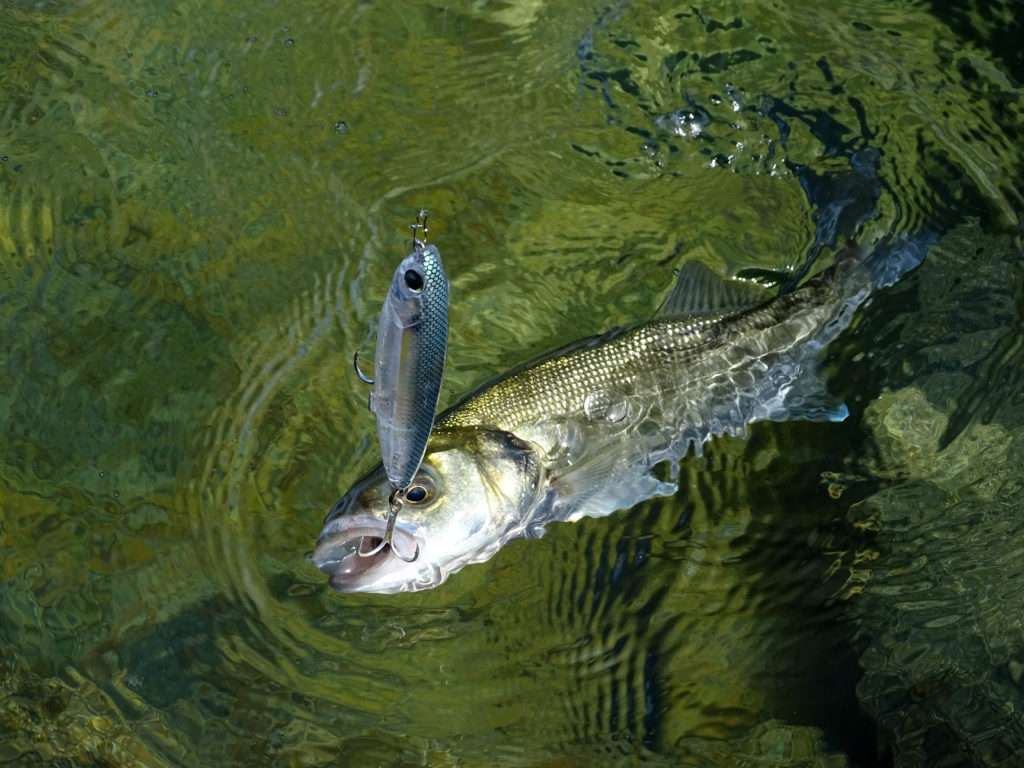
<point x="602" y="424"/>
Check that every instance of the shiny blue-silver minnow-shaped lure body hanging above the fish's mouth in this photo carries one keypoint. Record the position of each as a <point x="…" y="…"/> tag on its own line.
<point x="409" y="364"/>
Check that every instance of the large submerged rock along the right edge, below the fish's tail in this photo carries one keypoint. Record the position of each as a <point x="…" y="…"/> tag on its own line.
<point x="940" y="614"/>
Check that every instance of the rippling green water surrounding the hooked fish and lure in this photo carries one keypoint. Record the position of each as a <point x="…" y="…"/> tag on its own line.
<point x="201" y="205"/>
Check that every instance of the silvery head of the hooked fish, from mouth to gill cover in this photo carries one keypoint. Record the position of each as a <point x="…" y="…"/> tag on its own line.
<point x="476" y="490"/>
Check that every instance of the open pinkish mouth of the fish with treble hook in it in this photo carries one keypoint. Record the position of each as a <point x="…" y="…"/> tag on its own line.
<point x="352" y="552"/>
